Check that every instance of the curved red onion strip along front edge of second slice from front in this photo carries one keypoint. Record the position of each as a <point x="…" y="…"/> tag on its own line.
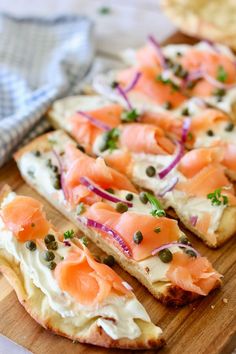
<point x="97" y="225"/>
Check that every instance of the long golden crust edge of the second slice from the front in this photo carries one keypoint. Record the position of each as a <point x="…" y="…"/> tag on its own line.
<point x="167" y="293"/>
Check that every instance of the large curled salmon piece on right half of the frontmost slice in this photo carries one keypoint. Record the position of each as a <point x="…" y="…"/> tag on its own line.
<point x="88" y="281"/>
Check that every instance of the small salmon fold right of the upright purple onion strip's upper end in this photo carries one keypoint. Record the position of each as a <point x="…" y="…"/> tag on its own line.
<point x="206" y="119"/>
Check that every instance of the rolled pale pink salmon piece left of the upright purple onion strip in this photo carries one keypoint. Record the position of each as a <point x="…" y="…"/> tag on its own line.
<point x="145" y="138"/>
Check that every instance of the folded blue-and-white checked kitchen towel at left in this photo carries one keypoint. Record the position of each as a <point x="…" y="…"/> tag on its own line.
<point x="40" y="60"/>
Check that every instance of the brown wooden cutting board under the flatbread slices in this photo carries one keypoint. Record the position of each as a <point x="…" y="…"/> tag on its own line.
<point x="206" y="326"/>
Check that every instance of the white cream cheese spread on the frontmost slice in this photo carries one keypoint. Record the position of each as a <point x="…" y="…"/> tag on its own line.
<point x="123" y="310"/>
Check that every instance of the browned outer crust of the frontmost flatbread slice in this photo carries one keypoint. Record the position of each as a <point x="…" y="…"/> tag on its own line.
<point x="35" y="303"/>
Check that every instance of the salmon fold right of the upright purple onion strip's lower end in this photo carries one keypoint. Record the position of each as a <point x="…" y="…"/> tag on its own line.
<point x="195" y="160"/>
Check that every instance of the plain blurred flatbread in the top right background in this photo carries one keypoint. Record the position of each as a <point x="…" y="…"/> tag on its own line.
<point x="211" y="19"/>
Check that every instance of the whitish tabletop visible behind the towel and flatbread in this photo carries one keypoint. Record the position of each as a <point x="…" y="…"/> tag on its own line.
<point x="127" y="25"/>
